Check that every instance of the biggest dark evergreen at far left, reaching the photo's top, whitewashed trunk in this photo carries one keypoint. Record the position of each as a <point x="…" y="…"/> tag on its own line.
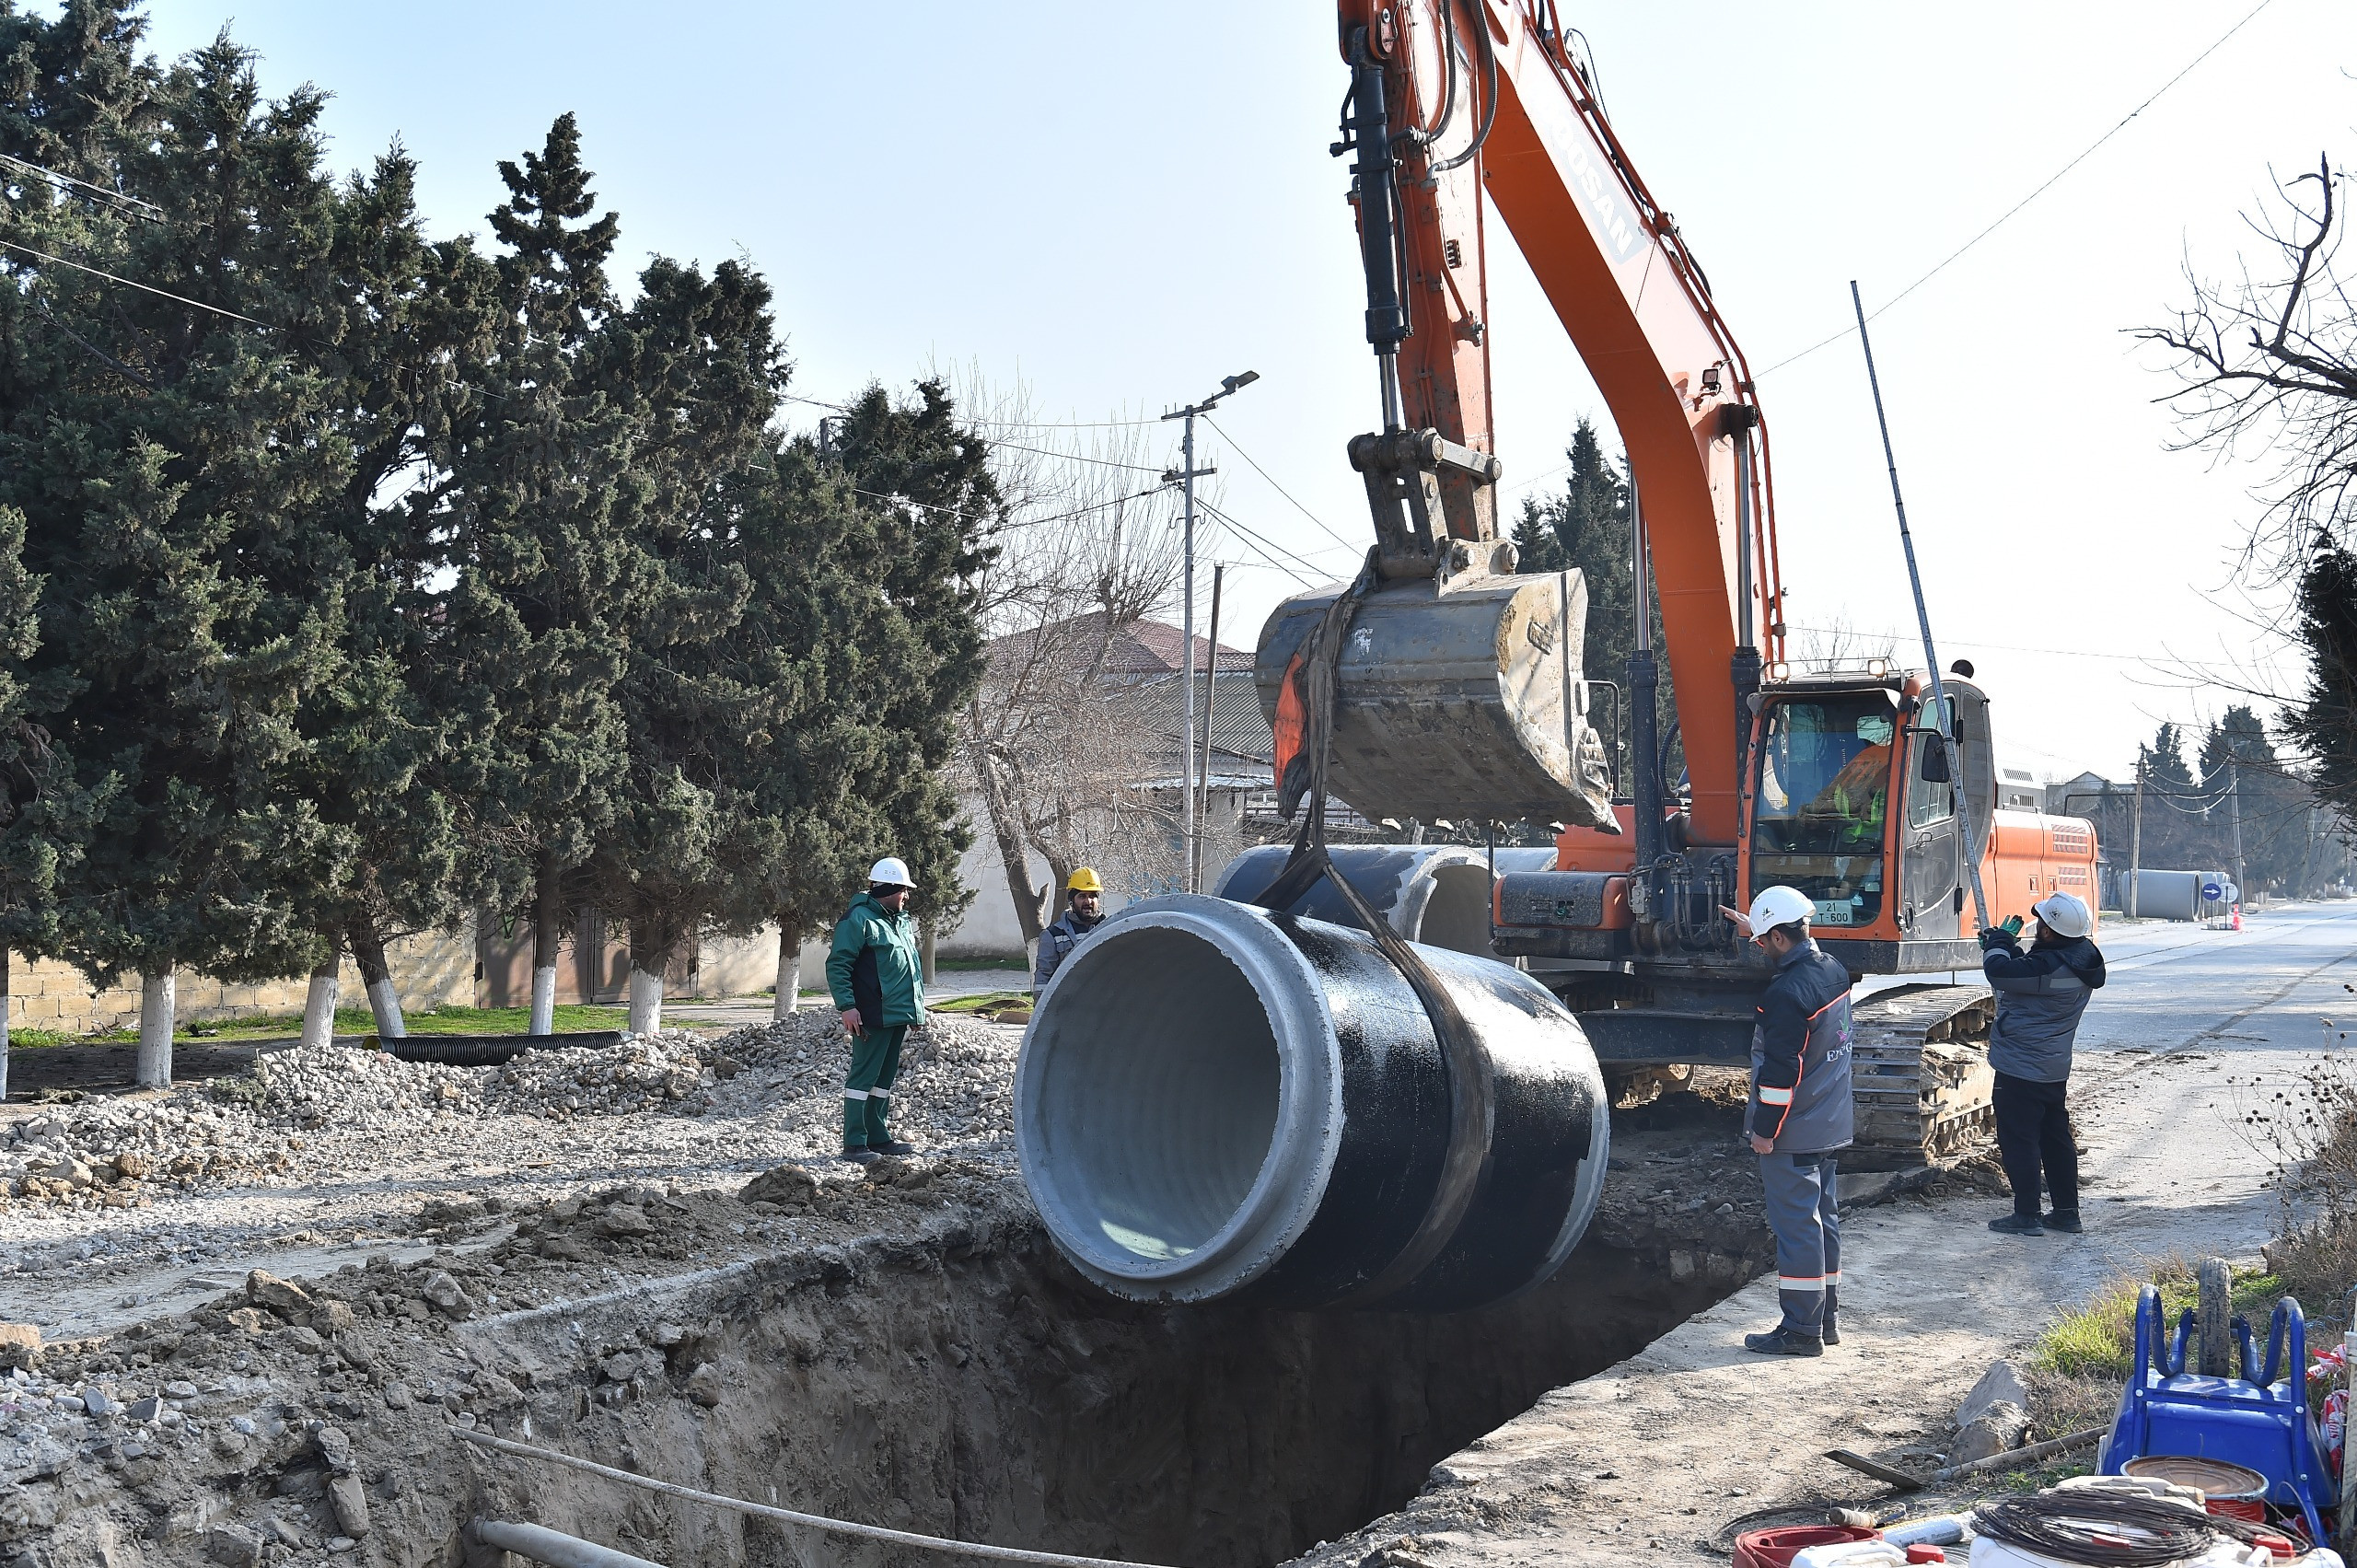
<point x="161" y="452"/>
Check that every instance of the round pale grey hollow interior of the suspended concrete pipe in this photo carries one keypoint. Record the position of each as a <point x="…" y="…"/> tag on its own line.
<point x="1166" y="1093"/>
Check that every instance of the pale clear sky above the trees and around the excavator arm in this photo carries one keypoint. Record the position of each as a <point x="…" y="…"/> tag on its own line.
<point x="1121" y="204"/>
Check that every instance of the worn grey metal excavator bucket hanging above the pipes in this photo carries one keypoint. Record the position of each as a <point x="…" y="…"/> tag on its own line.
<point x="1455" y="701"/>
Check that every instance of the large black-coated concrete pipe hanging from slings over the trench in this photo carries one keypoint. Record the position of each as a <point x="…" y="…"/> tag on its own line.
<point x="1220" y="1100"/>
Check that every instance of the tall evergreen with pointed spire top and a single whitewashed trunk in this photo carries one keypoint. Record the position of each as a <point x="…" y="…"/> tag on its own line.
<point x="550" y="579"/>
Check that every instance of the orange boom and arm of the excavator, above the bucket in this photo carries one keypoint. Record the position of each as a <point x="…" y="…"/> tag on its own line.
<point x="1496" y="79"/>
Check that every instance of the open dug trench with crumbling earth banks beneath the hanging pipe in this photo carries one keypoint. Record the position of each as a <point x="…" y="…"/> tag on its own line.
<point x="909" y="1355"/>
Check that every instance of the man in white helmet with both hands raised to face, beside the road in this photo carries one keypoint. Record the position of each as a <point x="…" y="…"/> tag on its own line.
<point x="2040" y="999"/>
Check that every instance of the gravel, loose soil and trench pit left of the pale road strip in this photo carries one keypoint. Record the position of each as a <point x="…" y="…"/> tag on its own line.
<point x="899" y="1345"/>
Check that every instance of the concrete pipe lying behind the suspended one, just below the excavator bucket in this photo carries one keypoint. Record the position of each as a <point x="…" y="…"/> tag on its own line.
<point x="1437" y="895"/>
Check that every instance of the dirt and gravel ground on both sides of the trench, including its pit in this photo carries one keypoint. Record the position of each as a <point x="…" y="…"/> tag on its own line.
<point x="909" y="1352"/>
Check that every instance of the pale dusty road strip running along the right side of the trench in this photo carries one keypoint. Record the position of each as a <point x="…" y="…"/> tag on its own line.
<point x="2193" y="1032"/>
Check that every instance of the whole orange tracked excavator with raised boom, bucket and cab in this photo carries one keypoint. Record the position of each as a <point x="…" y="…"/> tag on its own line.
<point x="1458" y="690"/>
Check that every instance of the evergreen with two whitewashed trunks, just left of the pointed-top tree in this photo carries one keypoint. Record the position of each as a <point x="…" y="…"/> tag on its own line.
<point x="388" y="746"/>
